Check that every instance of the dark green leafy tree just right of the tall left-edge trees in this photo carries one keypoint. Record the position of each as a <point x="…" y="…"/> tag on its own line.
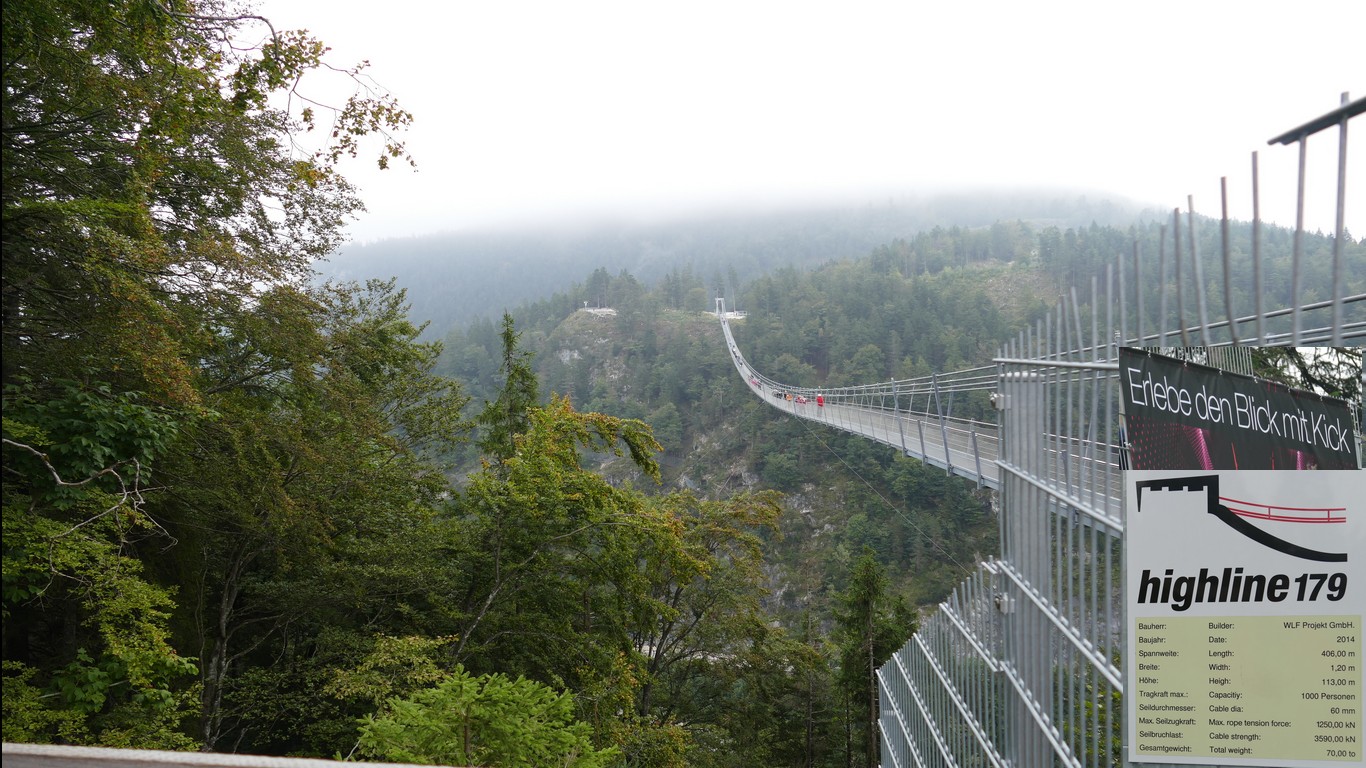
<point x="323" y="463"/>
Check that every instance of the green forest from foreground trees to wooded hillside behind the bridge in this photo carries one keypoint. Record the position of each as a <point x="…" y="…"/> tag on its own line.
<point x="249" y="509"/>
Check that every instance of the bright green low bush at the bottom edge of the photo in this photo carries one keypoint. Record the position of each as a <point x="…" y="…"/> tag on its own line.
<point x="483" y="721"/>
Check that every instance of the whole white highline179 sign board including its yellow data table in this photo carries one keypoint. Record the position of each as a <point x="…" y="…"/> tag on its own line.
<point x="1245" y="595"/>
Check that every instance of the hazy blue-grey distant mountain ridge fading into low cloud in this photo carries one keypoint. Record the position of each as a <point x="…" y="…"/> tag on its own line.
<point x="458" y="278"/>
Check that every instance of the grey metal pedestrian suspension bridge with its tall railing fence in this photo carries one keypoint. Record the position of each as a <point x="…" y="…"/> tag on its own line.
<point x="1022" y="666"/>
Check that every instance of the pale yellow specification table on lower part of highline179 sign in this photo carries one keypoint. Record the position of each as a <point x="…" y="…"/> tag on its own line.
<point x="1257" y="688"/>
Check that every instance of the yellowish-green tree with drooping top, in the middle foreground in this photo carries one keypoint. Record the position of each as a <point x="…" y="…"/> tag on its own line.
<point x="555" y="545"/>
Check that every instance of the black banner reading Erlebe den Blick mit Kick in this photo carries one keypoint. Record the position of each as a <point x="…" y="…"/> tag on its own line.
<point x="1190" y="417"/>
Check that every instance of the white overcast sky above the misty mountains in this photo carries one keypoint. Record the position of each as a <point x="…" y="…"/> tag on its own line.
<point x="535" y="111"/>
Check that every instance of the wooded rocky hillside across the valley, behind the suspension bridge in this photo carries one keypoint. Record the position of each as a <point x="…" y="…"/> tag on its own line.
<point x="939" y="301"/>
